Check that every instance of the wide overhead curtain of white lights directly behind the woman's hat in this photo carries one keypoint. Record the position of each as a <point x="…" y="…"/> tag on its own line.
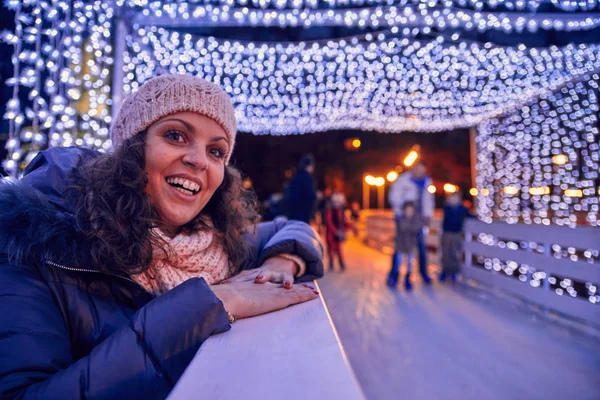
<point x="375" y="82"/>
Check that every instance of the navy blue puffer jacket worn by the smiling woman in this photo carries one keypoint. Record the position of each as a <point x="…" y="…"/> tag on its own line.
<point x="69" y="330"/>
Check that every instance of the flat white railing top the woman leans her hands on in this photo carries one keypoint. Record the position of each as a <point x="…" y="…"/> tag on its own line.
<point x="292" y="354"/>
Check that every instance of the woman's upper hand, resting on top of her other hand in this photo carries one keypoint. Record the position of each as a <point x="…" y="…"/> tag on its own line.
<point x="275" y="270"/>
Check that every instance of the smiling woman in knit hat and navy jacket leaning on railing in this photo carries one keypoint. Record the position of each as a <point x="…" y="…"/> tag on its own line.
<point x="112" y="266"/>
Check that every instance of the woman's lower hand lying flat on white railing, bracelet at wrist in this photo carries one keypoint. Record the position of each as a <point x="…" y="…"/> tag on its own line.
<point x="245" y="299"/>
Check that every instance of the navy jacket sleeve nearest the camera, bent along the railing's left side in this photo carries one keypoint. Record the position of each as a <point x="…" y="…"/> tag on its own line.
<point x="141" y="360"/>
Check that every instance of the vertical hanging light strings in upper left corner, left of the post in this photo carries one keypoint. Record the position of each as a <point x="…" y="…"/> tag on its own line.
<point x="62" y="63"/>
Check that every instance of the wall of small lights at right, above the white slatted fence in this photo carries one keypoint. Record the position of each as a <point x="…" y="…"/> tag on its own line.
<point x="540" y="164"/>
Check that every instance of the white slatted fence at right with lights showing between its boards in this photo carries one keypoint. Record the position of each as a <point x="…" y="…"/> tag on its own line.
<point x="556" y="267"/>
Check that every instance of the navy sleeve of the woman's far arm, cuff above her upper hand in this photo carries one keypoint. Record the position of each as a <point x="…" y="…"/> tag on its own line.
<point x="286" y="237"/>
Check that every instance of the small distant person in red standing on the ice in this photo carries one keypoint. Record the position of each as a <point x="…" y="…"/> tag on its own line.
<point x="335" y="229"/>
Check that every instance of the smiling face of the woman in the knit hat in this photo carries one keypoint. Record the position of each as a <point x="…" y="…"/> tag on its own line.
<point x="185" y="164"/>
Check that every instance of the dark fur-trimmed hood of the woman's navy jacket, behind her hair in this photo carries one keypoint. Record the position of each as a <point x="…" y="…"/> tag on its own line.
<point x="37" y="222"/>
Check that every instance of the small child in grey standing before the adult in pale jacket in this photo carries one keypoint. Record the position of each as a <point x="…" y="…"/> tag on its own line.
<point x="408" y="228"/>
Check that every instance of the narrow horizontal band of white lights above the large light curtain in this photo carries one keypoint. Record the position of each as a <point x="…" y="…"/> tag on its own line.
<point x="169" y="14"/>
